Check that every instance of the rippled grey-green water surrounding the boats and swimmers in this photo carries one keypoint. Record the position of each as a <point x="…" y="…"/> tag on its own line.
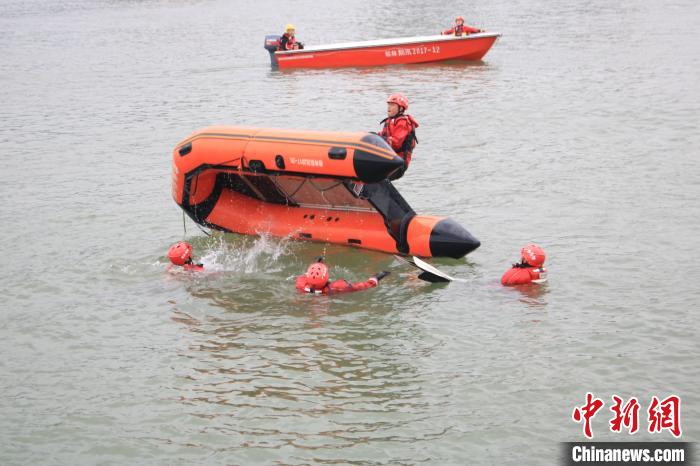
<point x="578" y="131"/>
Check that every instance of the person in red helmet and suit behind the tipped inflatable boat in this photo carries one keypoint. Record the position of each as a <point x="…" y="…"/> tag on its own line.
<point x="399" y="129"/>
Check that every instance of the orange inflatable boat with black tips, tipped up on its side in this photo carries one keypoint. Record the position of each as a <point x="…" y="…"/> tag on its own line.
<point x="310" y="185"/>
